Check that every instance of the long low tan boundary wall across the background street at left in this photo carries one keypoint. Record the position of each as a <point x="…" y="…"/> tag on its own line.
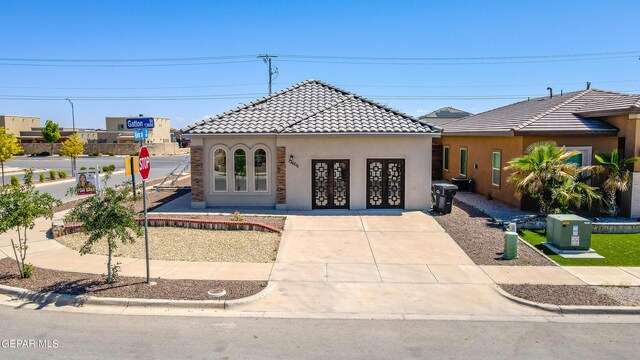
<point x="118" y="149"/>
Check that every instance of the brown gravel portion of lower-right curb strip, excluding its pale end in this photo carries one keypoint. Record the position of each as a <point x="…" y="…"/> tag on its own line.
<point x="562" y="294"/>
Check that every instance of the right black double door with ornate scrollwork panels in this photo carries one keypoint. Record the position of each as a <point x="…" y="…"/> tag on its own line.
<point x="385" y="183"/>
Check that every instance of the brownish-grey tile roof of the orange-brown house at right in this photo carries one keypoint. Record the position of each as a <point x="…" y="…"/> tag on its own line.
<point x="543" y="115"/>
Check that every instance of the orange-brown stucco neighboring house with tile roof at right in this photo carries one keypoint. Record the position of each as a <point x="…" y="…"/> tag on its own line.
<point x="589" y="121"/>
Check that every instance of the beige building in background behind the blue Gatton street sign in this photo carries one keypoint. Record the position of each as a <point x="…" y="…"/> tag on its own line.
<point x="117" y="132"/>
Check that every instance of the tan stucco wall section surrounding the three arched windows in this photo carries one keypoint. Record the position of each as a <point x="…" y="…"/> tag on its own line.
<point x="232" y="198"/>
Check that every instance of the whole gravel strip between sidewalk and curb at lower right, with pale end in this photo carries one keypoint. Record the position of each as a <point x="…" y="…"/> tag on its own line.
<point x="576" y="294"/>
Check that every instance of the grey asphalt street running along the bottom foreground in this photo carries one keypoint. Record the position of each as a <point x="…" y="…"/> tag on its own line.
<point x="90" y="336"/>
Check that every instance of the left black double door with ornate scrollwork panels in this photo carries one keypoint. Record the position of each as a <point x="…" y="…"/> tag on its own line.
<point x="330" y="184"/>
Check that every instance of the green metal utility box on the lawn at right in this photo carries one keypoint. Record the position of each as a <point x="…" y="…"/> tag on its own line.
<point x="569" y="232"/>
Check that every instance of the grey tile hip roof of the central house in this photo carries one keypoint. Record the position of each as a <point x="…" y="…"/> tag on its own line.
<point x="310" y="107"/>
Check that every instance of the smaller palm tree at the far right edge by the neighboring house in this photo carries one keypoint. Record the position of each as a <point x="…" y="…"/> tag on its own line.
<point x="617" y="176"/>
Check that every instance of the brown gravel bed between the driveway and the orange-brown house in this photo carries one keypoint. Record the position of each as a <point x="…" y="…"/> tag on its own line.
<point x="483" y="240"/>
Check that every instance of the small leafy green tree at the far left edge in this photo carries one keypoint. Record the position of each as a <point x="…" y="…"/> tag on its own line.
<point x="19" y="208"/>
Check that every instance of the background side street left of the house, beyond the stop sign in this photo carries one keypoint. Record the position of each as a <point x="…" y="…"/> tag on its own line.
<point x="161" y="166"/>
